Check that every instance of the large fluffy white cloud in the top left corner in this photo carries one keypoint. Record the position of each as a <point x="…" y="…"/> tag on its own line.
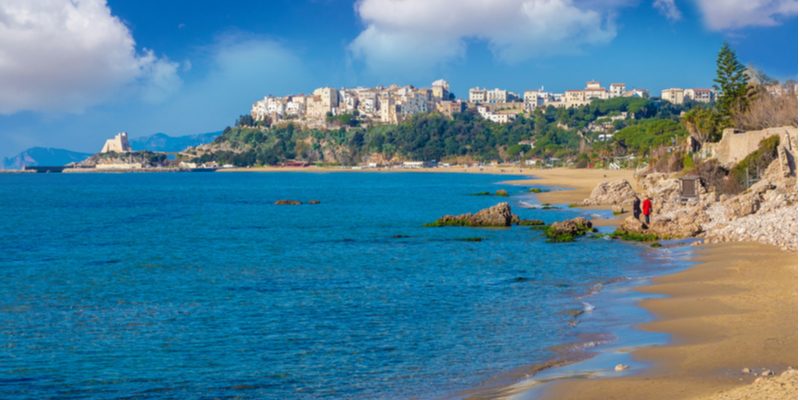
<point x="66" y="55"/>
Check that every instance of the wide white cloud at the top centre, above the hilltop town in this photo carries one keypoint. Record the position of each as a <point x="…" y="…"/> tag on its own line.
<point x="420" y="34"/>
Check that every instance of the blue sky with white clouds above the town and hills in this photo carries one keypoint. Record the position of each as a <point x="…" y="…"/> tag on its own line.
<point x="76" y="72"/>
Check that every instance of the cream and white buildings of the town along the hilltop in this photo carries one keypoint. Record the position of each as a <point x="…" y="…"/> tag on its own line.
<point x="393" y="104"/>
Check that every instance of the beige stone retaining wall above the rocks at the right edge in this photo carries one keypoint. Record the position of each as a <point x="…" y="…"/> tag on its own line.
<point x="736" y="145"/>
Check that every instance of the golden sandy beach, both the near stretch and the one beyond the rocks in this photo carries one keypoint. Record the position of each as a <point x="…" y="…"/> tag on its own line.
<point x="735" y="308"/>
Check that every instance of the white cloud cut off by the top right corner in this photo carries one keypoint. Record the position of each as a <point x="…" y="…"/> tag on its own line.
<point x="731" y="14"/>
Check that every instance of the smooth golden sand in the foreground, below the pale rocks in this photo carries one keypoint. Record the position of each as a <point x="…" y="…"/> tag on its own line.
<point x="735" y="310"/>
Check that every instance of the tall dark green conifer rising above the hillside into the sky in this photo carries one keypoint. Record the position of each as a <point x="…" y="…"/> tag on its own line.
<point x="731" y="82"/>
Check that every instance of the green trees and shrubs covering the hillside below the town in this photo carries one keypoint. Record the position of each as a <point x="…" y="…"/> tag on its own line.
<point x="556" y="132"/>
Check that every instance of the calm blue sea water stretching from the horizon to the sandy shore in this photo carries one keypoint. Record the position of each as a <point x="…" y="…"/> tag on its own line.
<point x="197" y="286"/>
